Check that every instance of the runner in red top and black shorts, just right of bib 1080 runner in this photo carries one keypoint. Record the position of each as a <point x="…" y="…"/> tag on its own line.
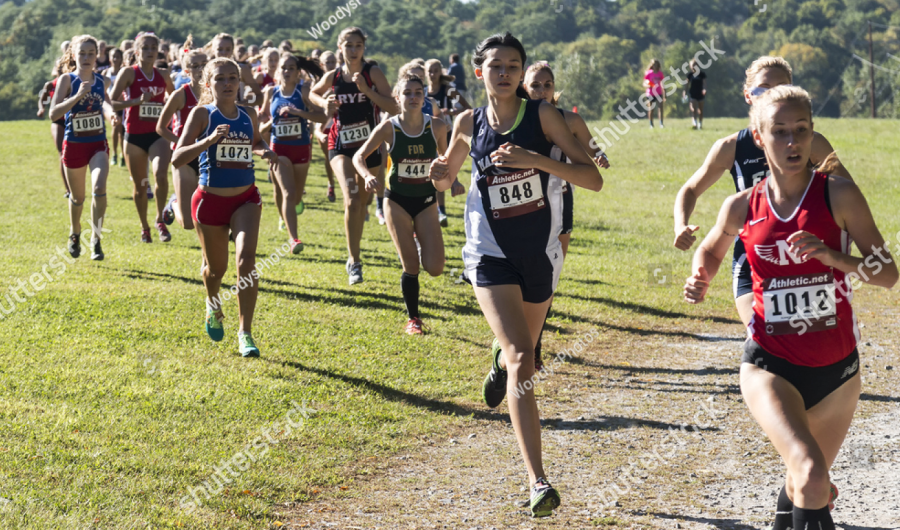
<point x="146" y="88"/>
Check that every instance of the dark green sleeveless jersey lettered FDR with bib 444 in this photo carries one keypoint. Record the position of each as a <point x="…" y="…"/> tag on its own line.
<point x="410" y="160"/>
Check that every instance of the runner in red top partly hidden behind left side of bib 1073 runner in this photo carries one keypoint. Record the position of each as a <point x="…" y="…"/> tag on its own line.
<point x="177" y="109"/>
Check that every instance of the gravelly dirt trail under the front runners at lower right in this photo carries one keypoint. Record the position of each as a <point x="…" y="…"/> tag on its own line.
<point x="643" y="429"/>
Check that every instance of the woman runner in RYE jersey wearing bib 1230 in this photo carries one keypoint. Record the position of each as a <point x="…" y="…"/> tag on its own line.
<point x="360" y="90"/>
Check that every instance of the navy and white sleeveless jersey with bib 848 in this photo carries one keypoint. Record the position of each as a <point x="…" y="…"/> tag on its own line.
<point x="509" y="212"/>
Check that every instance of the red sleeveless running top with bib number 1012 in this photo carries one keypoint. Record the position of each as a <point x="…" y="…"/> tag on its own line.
<point x="801" y="310"/>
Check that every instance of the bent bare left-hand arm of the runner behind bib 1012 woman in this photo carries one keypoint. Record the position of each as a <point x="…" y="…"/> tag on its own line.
<point x="718" y="161"/>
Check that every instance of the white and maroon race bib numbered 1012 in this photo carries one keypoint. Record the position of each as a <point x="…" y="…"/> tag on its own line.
<point x="800" y="303"/>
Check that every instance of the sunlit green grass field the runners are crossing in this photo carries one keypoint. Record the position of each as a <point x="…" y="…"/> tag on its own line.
<point x="114" y="403"/>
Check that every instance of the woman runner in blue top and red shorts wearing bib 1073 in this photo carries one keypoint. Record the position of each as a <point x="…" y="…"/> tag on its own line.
<point x="225" y="137"/>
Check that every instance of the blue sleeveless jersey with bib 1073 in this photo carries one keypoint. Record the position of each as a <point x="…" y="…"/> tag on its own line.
<point x="229" y="163"/>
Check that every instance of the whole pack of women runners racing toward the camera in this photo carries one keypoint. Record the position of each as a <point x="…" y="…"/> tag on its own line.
<point x="792" y="219"/>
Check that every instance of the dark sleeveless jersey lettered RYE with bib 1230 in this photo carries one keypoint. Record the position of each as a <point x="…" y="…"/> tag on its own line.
<point x="356" y="115"/>
